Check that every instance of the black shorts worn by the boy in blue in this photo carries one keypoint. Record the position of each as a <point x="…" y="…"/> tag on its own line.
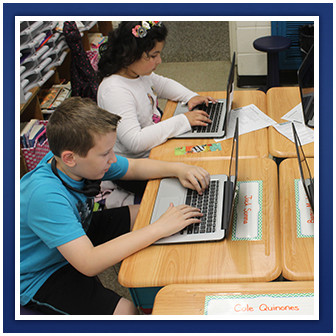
<point x="68" y="291"/>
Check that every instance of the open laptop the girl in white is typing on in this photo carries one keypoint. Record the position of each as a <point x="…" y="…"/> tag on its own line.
<point x="219" y="113"/>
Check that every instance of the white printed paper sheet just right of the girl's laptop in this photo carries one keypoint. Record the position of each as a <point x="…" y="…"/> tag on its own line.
<point x="251" y="118"/>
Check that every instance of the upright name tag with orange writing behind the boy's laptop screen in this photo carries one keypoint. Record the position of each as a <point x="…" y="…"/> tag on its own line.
<point x="247" y="214"/>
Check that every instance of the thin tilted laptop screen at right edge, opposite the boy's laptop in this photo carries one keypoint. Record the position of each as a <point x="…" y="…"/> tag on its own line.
<point x="307" y="180"/>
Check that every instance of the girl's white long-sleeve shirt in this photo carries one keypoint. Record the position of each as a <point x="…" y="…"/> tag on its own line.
<point x="136" y="101"/>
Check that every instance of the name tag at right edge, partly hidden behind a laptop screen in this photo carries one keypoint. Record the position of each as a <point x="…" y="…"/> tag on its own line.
<point x="304" y="213"/>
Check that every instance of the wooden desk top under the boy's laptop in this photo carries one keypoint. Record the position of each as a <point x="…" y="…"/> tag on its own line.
<point x="211" y="262"/>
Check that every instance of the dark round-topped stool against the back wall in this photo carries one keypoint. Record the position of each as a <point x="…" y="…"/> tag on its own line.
<point x="272" y="45"/>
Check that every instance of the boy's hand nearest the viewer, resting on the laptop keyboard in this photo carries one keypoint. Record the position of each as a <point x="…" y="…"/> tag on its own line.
<point x="176" y="219"/>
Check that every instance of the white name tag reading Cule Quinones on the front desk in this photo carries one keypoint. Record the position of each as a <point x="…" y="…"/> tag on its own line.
<point x="271" y="304"/>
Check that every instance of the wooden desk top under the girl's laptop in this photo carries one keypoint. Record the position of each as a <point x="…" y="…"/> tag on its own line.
<point x="251" y="145"/>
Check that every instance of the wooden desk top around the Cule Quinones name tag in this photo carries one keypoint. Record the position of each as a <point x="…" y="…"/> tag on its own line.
<point x="190" y="299"/>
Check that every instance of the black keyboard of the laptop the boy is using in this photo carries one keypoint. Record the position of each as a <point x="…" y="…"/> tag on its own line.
<point x="207" y="203"/>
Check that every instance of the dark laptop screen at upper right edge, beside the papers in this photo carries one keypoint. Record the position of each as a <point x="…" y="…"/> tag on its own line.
<point x="306" y="85"/>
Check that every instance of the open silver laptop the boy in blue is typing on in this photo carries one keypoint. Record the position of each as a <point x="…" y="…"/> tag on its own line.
<point x="216" y="203"/>
